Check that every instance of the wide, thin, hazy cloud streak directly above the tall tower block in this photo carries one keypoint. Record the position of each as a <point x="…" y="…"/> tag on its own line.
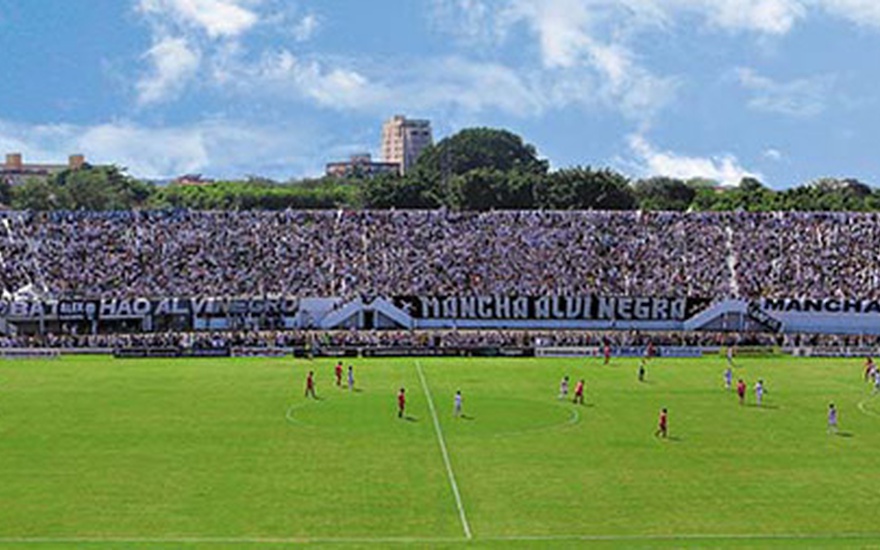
<point x="451" y="83"/>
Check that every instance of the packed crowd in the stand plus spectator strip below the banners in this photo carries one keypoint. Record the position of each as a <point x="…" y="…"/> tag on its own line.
<point x="360" y="255"/>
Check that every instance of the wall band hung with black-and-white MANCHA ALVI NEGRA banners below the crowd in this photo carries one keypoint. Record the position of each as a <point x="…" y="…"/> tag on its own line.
<point x="494" y="312"/>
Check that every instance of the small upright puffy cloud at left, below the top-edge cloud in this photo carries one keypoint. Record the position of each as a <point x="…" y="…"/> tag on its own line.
<point x="173" y="63"/>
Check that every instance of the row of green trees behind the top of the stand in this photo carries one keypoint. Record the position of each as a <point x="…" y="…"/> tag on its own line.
<point x="475" y="169"/>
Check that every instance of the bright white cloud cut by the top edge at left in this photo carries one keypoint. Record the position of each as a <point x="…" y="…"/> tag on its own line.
<point x="217" y="18"/>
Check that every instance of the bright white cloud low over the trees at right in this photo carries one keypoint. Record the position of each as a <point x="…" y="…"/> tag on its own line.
<point x="650" y="161"/>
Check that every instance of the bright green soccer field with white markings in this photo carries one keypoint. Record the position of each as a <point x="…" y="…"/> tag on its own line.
<point x="104" y="453"/>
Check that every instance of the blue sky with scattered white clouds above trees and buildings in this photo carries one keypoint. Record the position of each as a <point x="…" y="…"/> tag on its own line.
<point x="781" y="89"/>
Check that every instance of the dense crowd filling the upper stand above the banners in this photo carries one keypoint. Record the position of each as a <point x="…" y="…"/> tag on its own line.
<point x="349" y="253"/>
